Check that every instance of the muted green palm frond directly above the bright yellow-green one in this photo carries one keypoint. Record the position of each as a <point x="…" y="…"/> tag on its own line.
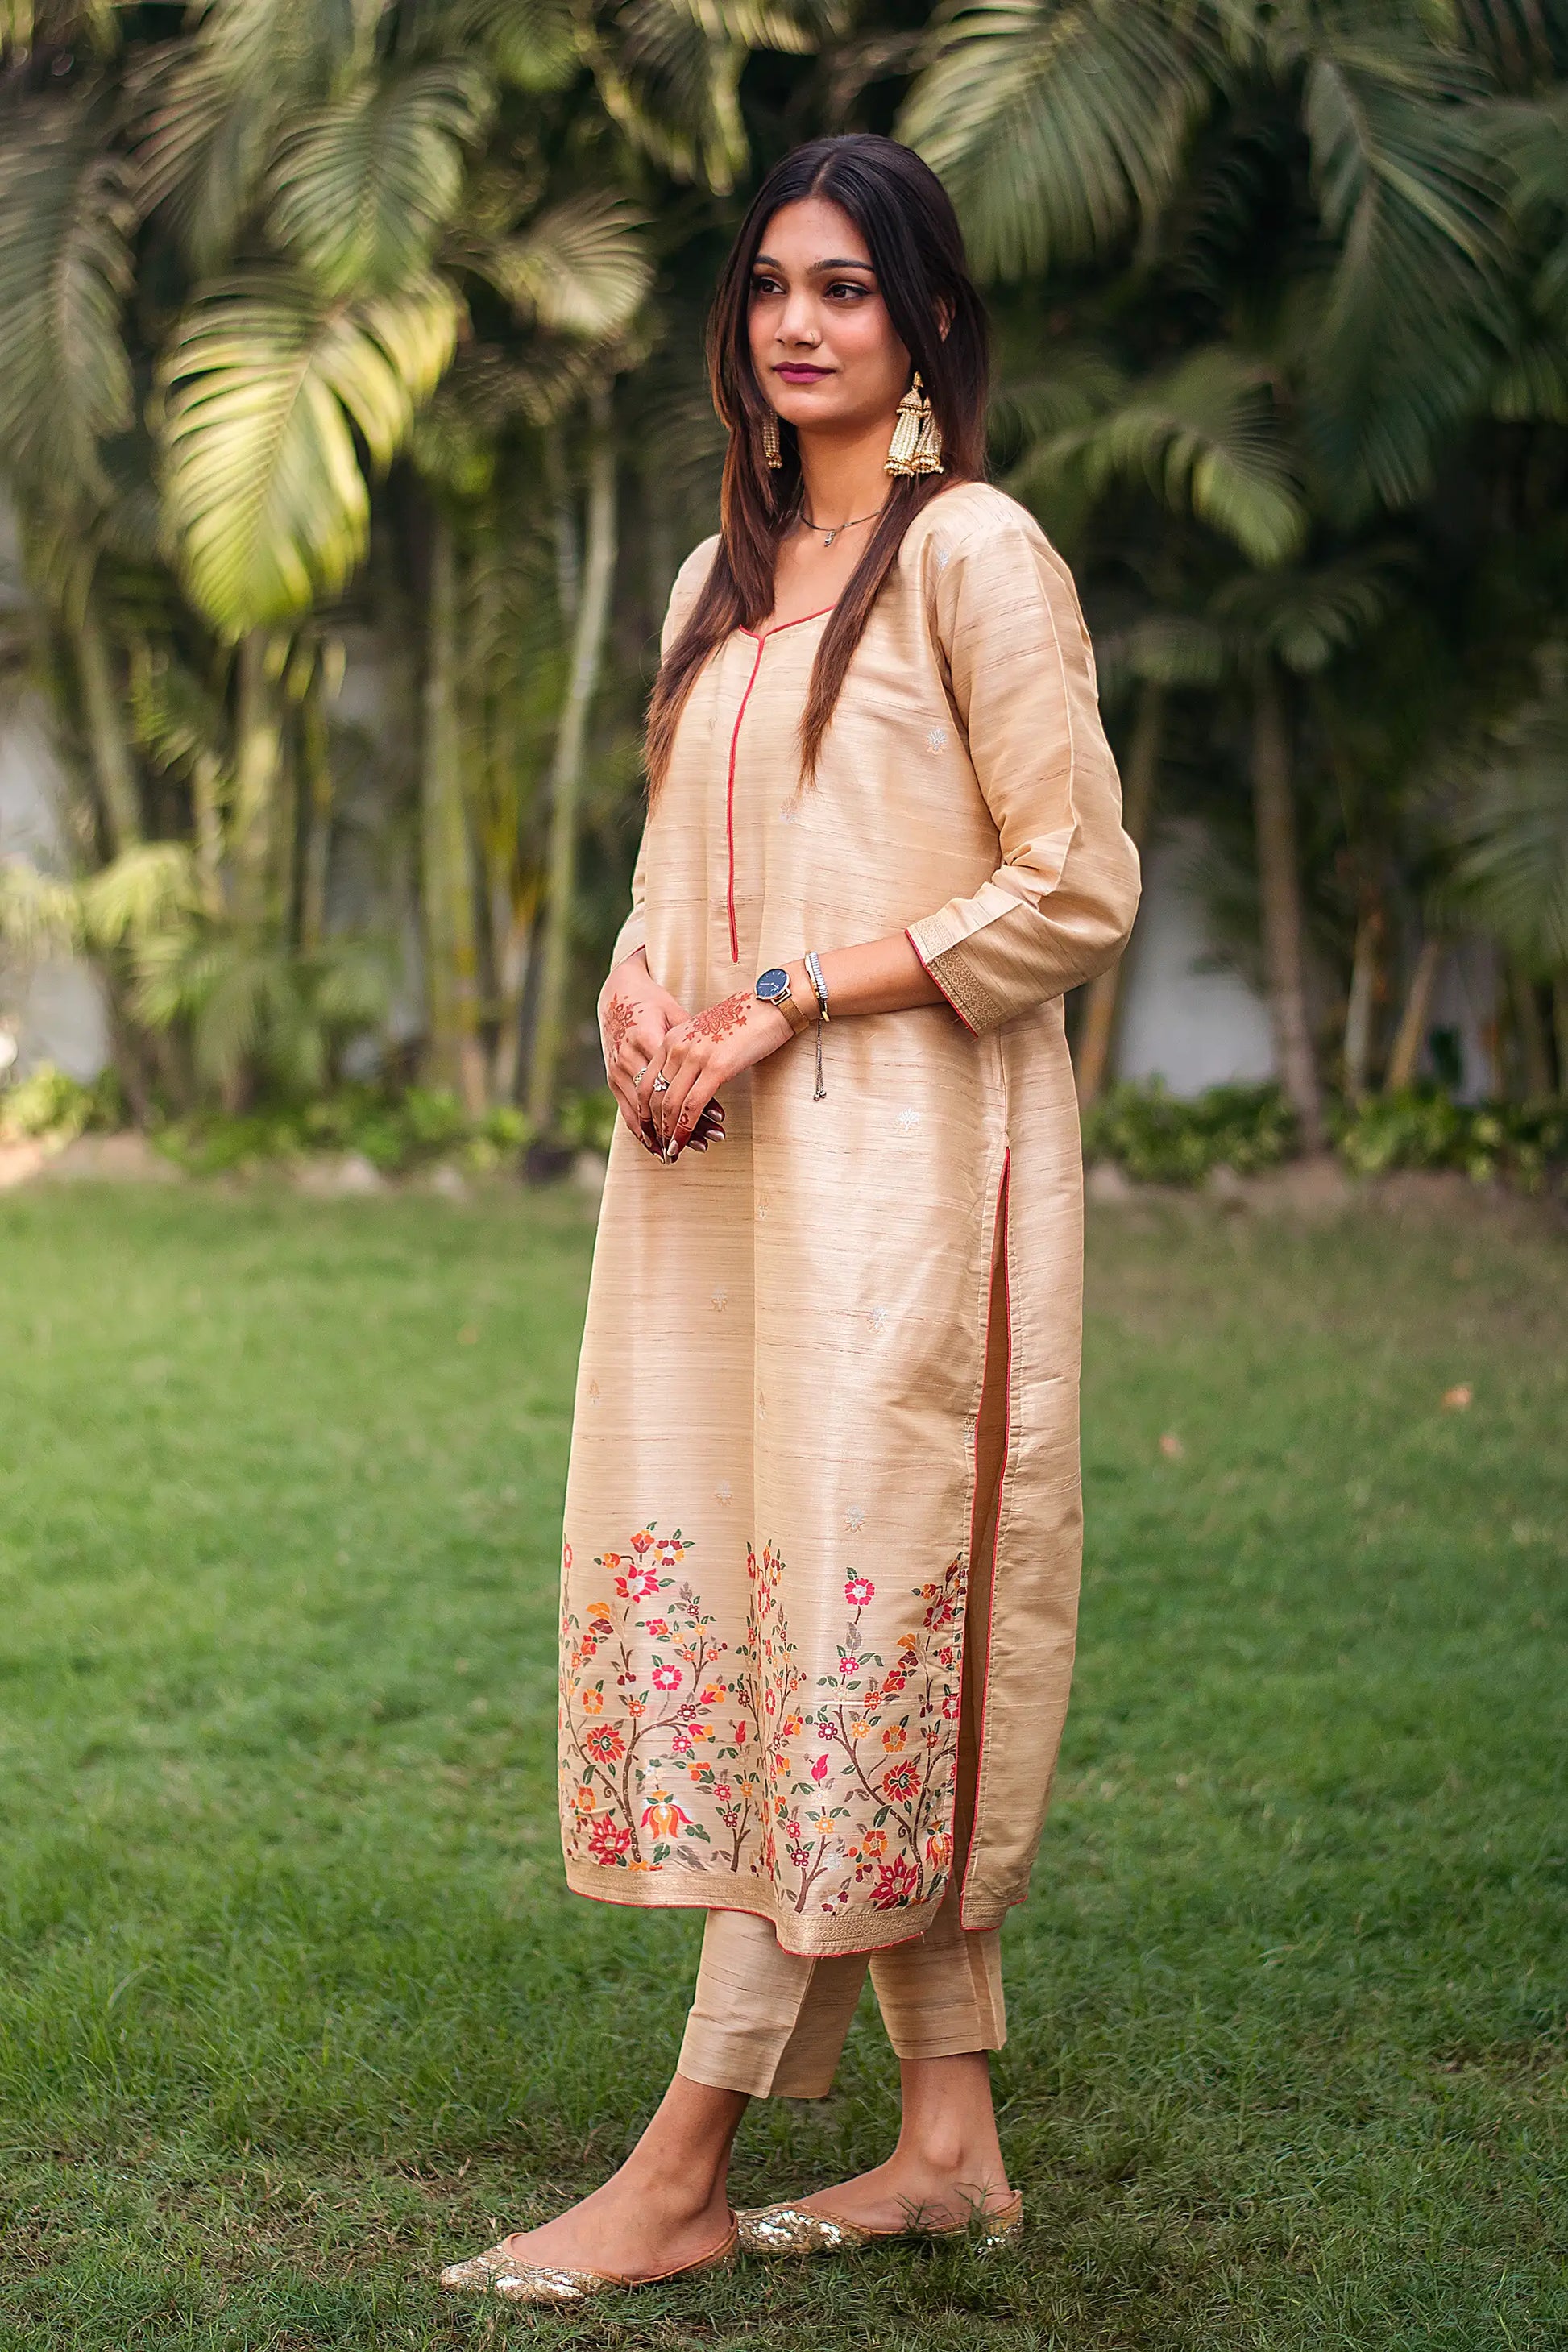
<point x="363" y="189"/>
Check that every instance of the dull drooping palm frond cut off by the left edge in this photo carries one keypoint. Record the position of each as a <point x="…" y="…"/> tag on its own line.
<point x="65" y="276"/>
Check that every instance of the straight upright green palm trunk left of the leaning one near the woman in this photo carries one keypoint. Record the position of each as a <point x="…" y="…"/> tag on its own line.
<point x="453" y="961"/>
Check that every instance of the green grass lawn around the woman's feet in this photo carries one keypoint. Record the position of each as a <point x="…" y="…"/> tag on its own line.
<point x="293" y="2005"/>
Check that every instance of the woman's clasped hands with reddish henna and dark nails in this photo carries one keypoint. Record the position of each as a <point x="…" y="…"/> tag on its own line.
<point x="666" y="1069"/>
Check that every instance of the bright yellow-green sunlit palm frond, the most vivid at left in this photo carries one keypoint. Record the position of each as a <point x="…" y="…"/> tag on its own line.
<point x="260" y="392"/>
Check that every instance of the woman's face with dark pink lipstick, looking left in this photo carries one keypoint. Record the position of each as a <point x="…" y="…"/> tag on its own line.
<point x="824" y="347"/>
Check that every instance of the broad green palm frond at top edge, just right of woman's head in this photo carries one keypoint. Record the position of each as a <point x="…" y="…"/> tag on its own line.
<point x="1054" y="123"/>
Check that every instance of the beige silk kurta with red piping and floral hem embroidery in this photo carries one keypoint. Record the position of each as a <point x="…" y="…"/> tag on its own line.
<point x="784" y="1384"/>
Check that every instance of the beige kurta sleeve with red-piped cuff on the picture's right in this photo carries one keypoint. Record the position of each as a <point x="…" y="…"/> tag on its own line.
<point x="1021" y="679"/>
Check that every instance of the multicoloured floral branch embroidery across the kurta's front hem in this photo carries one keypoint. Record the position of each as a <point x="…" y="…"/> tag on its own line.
<point x="836" y="1803"/>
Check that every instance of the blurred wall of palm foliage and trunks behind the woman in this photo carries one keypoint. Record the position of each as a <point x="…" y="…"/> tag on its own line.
<point x="368" y="333"/>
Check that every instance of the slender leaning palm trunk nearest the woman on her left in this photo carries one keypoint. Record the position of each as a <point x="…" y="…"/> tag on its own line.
<point x="568" y="770"/>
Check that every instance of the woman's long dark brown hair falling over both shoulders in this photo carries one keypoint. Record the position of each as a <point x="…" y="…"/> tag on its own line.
<point x="918" y="253"/>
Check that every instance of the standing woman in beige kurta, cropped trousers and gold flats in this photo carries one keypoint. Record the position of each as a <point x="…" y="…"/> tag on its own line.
<point x="824" y="1511"/>
